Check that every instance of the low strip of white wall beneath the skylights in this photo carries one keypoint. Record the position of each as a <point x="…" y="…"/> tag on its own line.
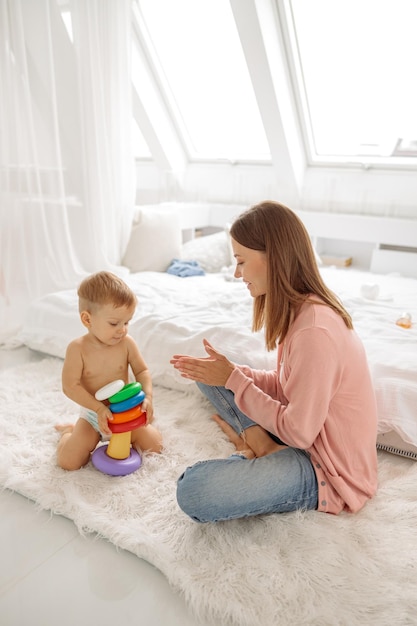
<point x="368" y="192"/>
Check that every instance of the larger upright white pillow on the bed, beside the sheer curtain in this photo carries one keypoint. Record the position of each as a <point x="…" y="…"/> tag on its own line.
<point x="154" y="241"/>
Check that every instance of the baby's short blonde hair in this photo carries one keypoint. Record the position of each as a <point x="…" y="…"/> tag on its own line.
<point x="104" y="288"/>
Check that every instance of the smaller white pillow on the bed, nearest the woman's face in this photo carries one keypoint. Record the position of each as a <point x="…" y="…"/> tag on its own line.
<point x="212" y="252"/>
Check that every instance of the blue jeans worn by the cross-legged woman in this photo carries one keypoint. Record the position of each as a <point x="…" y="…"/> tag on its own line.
<point x="223" y="489"/>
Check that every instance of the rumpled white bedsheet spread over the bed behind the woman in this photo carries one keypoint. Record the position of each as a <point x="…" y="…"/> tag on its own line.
<point x="175" y="314"/>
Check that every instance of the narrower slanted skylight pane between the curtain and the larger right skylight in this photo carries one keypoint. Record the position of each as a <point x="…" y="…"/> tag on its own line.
<point x="206" y="81"/>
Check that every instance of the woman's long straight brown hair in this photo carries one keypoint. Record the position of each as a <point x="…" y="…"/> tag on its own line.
<point x="292" y="271"/>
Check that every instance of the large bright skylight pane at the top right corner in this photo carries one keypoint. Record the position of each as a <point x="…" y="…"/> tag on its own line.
<point x="354" y="63"/>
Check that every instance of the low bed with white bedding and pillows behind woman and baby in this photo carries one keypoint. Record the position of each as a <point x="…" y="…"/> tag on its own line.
<point x="175" y="313"/>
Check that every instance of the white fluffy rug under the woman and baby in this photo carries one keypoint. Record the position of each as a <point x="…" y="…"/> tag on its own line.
<point x="294" y="569"/>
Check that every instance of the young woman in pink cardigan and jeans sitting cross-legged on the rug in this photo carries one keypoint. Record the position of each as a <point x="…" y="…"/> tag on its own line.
<point x="305" y="433"/>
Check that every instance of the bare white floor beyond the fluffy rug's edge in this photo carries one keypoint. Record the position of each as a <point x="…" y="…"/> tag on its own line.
<point x="51" y="576"/>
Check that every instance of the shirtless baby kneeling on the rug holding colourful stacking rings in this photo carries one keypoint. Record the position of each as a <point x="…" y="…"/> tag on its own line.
<point x="102" y="355"/>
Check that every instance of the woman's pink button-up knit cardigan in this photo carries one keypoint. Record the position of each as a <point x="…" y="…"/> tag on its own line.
<point x="319" y="399"/>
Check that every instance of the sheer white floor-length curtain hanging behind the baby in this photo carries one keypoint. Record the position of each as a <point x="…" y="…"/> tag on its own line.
<point x="67" y="170"/>
